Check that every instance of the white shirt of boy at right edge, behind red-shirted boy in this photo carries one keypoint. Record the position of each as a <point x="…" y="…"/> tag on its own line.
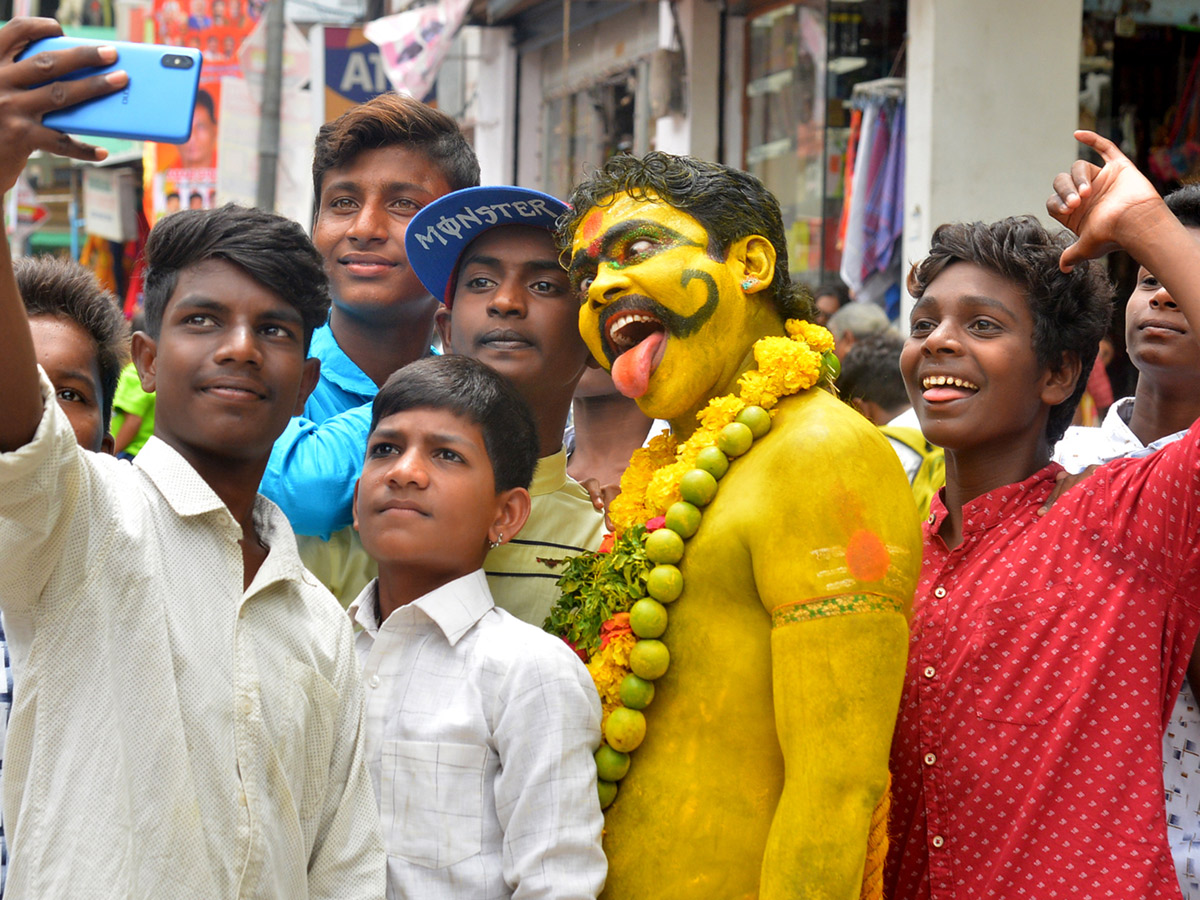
<point x="1081" y="448"/>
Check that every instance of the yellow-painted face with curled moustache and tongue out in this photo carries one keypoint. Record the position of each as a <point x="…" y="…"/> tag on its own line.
<point x="668" y="320"/>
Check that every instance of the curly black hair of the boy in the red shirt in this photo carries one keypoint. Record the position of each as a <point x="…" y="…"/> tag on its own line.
<point x="1071" y="310"/>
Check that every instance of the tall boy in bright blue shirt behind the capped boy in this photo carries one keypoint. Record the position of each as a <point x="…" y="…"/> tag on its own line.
<point x="374" y="169"/>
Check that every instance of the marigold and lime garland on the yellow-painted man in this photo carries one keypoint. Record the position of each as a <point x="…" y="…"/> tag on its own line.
<point x="614" y="607"/>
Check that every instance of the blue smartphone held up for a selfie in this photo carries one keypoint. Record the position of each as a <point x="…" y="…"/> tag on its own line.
<point x="158" y="101"/>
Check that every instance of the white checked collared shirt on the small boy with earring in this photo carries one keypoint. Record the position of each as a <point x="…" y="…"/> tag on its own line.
<point x="481" y="735"/>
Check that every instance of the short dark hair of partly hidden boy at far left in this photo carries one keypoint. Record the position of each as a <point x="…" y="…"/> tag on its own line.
<point x="69" y="291"/>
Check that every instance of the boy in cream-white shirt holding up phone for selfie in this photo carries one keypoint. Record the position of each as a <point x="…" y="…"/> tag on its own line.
<point x="190" y="712"/>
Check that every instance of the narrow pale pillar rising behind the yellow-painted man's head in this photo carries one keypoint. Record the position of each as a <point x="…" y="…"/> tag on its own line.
<point x="695" y="133"/>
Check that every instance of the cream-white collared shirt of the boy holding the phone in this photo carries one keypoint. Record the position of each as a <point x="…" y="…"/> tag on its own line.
<point x="172" y="734"/>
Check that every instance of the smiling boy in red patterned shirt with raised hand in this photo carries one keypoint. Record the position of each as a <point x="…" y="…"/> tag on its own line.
<point x="1047" y="651"/>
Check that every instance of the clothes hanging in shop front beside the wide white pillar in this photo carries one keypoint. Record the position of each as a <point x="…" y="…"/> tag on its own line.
<point x="874" y="214"/>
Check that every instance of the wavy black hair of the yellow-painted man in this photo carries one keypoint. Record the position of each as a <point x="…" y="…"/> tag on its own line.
<point x="730" y="203"/>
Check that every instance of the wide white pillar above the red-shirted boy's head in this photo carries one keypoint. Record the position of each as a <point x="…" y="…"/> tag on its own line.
<point x="993" y="103"/>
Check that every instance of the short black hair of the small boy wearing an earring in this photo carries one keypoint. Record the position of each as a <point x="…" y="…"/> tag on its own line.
<point x="466" y="388"/>
